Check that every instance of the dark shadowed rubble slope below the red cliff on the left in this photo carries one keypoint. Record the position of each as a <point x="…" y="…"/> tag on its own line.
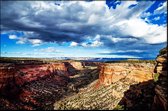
<point x="44" y="91"/>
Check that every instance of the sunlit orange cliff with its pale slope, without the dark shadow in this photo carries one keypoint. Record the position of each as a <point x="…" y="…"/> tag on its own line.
<point x="108" y="90"/>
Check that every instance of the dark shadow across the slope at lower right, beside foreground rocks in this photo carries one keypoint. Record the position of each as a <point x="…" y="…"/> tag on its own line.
<point x="138" y="97"/>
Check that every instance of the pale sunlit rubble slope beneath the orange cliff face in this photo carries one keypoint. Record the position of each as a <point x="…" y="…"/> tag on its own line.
<point x="104" y="97"/>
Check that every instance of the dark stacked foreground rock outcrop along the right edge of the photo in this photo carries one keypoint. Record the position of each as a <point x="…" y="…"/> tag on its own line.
<point x="161" y="97"/>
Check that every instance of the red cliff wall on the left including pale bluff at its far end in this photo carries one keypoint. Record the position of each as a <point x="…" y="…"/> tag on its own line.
<point x="22" y="72"/>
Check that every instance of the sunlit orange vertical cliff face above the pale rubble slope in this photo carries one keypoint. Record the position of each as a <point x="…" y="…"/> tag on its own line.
<point x="110" y="73"/>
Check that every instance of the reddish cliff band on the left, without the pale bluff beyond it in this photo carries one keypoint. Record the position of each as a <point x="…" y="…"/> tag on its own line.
<point x="21" y="74"/>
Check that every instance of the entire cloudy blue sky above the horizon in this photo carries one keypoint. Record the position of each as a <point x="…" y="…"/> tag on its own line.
<point x="109" y="29"/>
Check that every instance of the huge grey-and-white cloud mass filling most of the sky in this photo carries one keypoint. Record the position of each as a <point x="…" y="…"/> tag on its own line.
<point x="118" y="28"/>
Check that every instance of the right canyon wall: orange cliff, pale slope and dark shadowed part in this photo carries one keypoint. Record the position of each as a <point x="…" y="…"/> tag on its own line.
<point x="128" y="83"/>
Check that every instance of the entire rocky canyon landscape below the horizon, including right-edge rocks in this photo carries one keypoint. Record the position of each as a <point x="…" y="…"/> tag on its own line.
<point x="76" y="85"/>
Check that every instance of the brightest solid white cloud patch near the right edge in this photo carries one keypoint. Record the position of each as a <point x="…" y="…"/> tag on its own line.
<point x="151" y="33"/>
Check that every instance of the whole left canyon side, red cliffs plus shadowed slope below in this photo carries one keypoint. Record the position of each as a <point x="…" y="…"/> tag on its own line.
<point x="37" y="86"/>
